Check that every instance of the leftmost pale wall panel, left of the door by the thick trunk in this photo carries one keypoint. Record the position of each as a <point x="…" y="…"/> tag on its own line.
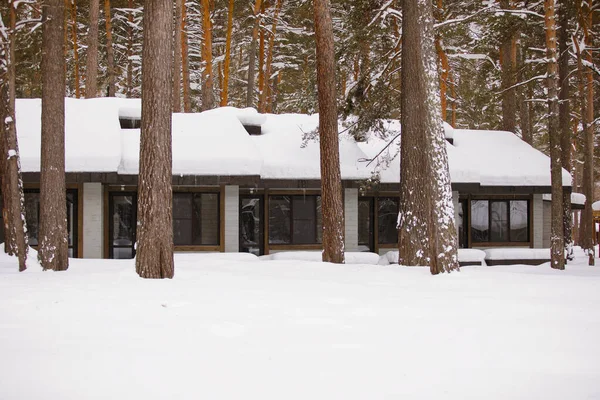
<point x="92" y="220"/>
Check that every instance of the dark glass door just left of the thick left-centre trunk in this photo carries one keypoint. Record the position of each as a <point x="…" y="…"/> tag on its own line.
<point x="122" y="220"/>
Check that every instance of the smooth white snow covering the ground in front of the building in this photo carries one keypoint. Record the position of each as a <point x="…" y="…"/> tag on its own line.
<point x="243" y="328"/>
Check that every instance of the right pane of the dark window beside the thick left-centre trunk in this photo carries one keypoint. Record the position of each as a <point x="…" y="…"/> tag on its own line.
<point x="206" y="219"/>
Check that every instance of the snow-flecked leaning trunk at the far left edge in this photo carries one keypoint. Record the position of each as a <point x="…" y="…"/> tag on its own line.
<point x="15" y="238"/>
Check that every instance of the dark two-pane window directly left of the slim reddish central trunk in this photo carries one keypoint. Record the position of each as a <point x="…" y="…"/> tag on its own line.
<point x="295" y="219"/>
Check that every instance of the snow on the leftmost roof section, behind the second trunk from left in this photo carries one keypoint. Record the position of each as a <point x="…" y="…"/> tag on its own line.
<point x="91" y="131"/>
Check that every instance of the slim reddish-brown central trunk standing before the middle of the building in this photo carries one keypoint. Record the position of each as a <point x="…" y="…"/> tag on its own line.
<point x="331" y="180"/>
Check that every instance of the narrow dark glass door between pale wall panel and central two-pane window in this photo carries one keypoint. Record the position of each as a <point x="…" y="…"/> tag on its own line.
<point x="251" y="224"/>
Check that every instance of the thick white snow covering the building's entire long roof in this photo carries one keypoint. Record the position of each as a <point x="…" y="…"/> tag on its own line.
<point x="215" y="142"/>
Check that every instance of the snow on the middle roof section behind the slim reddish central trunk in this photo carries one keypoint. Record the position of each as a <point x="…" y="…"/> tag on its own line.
<point x="286" y="156"/>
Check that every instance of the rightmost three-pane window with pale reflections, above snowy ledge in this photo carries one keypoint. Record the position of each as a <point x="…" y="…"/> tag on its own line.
<point x="499" y="221"/>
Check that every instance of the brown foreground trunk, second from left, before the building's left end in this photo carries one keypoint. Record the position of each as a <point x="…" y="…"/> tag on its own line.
<point x="53" y="249"/>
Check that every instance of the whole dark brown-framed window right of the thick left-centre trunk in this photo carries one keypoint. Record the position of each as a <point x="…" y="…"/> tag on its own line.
<point x="195" y="219"/>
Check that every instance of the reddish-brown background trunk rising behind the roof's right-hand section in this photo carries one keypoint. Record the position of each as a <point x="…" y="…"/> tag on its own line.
<point x="509" y="99"/>
